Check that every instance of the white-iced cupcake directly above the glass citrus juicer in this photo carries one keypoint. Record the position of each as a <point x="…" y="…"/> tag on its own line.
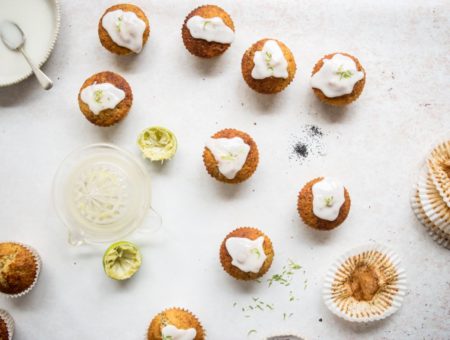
<point x="105" y="98"/>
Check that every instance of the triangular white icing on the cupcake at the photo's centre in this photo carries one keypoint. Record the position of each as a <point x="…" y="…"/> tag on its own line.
<point x="230" y="154"/>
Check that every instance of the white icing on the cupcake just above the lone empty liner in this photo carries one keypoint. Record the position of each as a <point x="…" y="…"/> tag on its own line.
<point x="328" y="197"/>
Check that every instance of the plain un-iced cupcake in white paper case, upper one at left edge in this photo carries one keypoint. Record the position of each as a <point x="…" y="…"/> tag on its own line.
<point x="19" y="268"/>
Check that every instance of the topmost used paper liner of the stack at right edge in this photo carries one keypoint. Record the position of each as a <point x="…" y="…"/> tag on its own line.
<point x="439" y="167"/>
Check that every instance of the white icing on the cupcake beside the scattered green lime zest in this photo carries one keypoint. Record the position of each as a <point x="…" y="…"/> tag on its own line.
<point x="248" y="255"/>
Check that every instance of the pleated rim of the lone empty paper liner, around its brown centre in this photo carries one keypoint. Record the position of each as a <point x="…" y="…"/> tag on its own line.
<point x="384" y="304"/>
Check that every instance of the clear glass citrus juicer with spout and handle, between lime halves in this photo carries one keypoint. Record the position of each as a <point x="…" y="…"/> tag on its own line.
<point x="102" y="193"/>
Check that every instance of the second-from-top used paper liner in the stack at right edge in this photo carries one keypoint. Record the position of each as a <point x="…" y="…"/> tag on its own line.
<point x="432" y="203"/>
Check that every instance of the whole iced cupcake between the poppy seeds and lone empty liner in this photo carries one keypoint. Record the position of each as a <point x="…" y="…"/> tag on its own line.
<point x="323" y="203"/>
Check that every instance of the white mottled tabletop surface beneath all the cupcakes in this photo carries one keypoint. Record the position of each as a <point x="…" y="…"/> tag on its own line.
<point x="375" y="147"/>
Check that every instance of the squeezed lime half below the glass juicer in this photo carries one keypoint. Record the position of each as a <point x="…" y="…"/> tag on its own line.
<point x="122" y="260"/>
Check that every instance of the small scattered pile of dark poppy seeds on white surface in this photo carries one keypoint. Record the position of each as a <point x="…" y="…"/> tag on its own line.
<point x="308" y="143"/>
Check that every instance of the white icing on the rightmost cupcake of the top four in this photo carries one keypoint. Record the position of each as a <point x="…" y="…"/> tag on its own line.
<point x="337" y="76"/>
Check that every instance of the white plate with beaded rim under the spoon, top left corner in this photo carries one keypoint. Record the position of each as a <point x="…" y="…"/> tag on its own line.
<point x="39" y="20"/>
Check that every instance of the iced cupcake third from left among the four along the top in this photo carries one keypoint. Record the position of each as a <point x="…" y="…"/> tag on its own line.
<point x="268" y="66"/>
